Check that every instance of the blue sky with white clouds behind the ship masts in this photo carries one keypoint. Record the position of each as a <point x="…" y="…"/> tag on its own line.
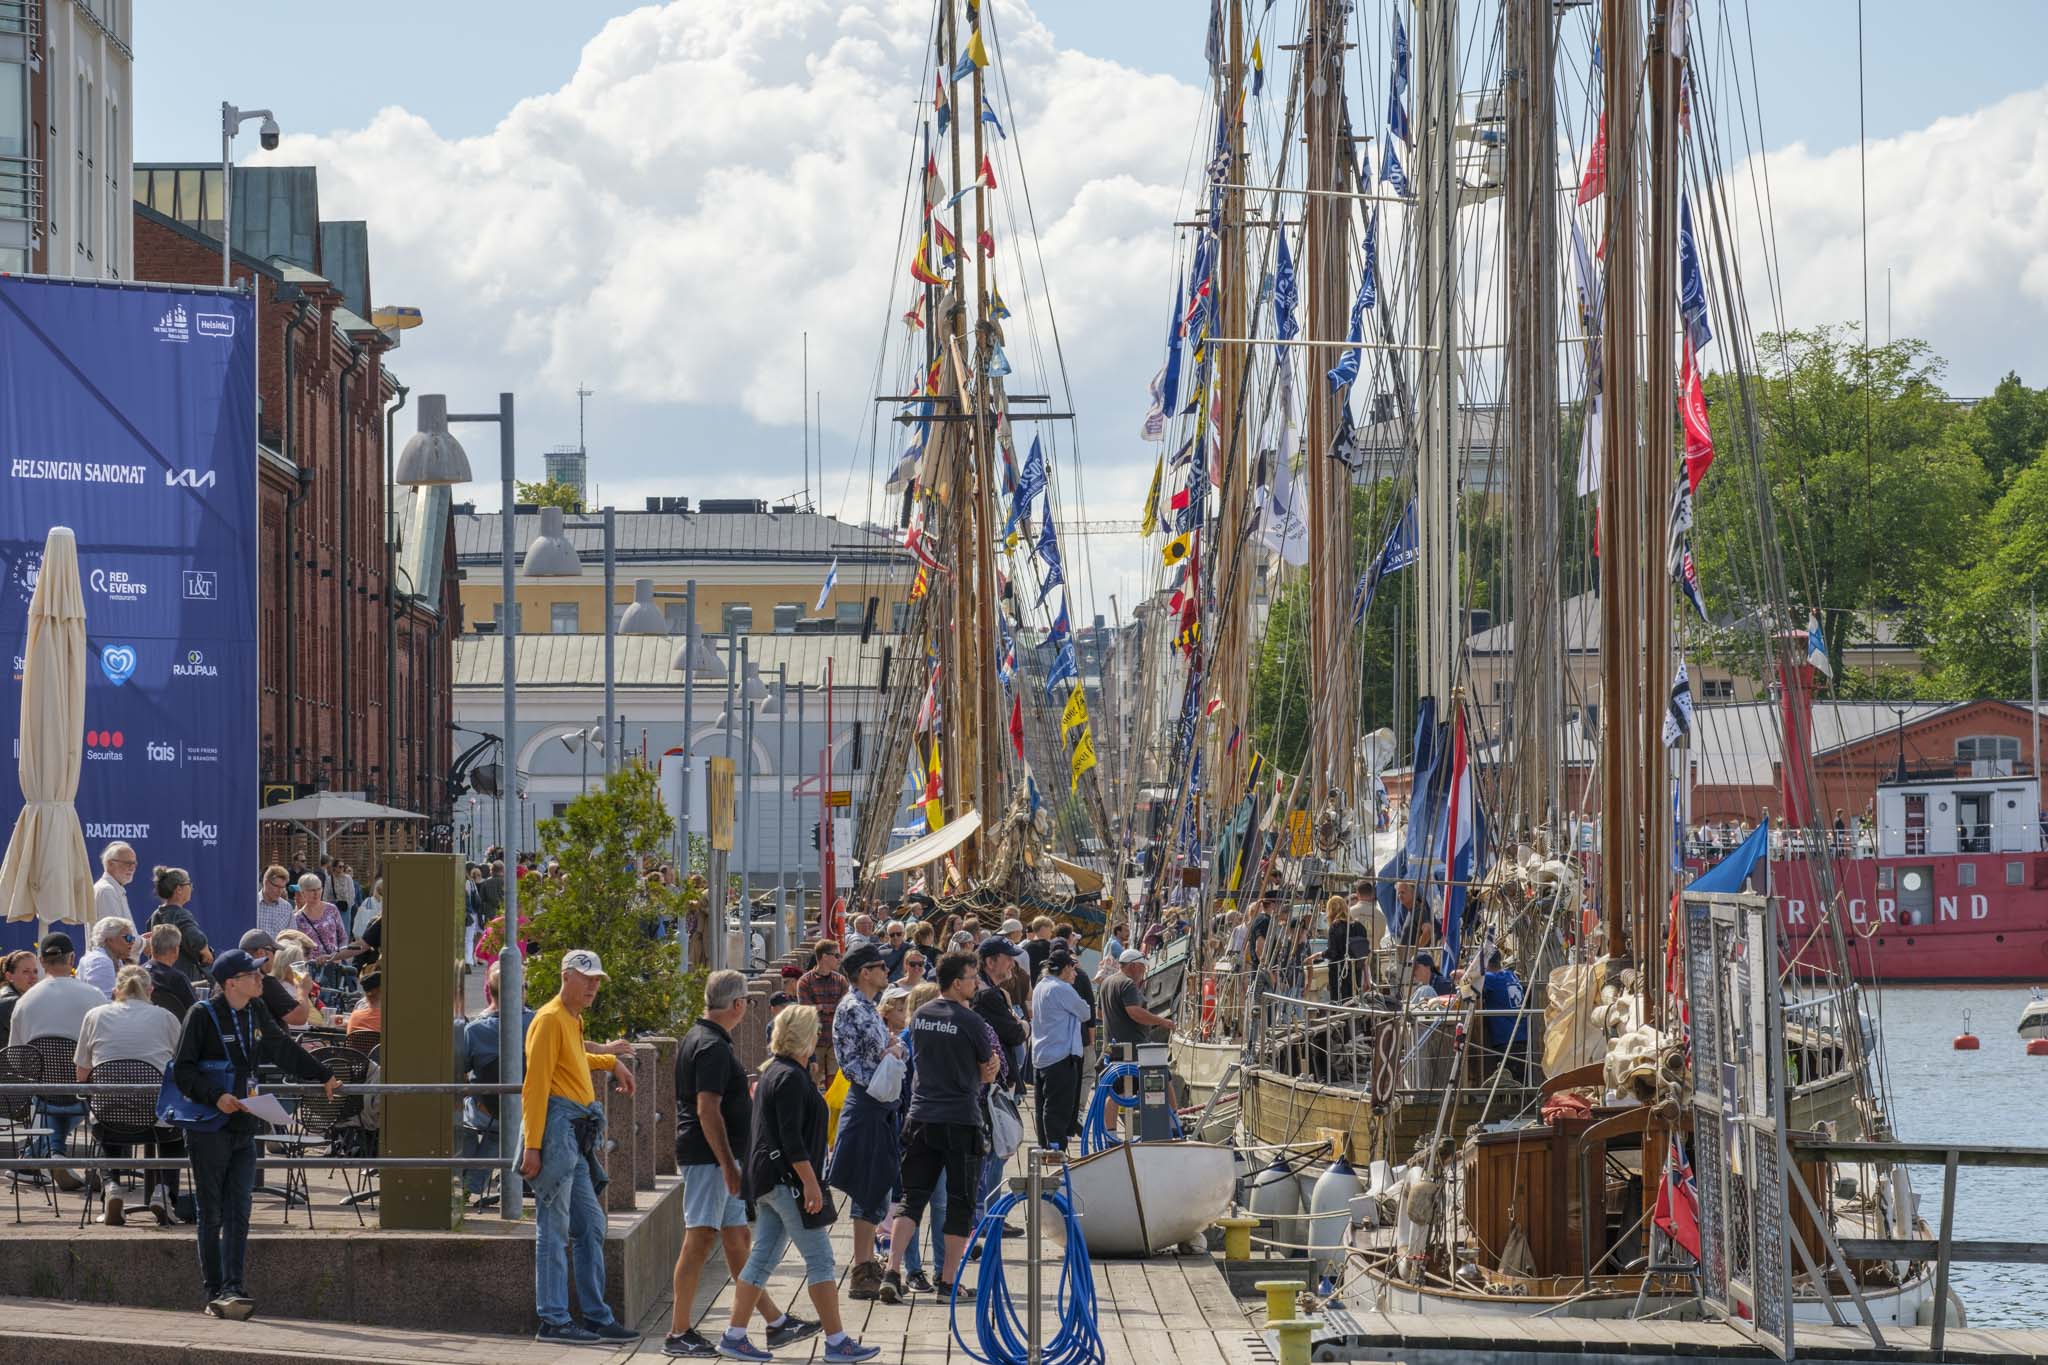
<point x="585" y="163"/>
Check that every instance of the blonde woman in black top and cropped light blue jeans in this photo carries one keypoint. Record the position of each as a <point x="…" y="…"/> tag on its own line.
<point x="785" y="1151"/>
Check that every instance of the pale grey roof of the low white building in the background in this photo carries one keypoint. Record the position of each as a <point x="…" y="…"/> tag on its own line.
<point x="646" y="662"/>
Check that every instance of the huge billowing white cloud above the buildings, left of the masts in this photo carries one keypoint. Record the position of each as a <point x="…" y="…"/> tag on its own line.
<point x="722" y="177"/>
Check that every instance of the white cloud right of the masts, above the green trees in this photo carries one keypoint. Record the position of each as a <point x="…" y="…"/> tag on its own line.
<point x="1959" y="212"/>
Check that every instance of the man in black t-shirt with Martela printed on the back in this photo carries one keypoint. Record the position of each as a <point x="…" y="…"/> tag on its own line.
<point x="953" y="1057"/>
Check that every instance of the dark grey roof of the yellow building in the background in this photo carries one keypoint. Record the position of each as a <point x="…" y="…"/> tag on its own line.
<point x="689" y="535"/>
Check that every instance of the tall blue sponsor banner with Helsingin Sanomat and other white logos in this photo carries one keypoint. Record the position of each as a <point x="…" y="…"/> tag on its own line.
<point x="130" y="416"/>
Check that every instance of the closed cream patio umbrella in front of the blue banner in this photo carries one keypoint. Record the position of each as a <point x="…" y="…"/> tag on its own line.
<point x="46" y="875"/>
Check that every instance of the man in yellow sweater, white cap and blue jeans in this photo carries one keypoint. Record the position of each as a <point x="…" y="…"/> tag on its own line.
<point x="564" y="1131"/>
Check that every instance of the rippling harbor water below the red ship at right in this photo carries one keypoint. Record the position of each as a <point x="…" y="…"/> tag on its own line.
<point x="1994" y="1096"/>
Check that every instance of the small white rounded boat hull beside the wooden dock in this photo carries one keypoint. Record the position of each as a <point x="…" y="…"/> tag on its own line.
<point x="1146" y="1198"/>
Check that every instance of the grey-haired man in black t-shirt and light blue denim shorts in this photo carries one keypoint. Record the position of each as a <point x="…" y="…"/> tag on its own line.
<point x="714" y="1114"/>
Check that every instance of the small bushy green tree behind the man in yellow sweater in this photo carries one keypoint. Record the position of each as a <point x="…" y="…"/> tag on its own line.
<point x="603" y="904"/>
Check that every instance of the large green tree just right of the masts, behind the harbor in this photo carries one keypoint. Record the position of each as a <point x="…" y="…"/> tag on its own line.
<point x="1869" y="476"/>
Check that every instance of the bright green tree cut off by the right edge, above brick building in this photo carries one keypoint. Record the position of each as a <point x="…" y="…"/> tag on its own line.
<point x="1979" y="625"/>
